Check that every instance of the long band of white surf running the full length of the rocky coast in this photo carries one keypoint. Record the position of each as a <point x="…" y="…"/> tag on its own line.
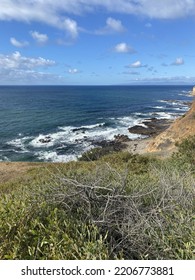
<point x="68" y="143"/>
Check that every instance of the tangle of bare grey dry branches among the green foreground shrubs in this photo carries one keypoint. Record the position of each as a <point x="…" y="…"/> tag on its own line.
<point x="131" y="216"/>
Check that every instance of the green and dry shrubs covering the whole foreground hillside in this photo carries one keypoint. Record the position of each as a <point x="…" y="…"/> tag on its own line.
<point x="115" y="206"/>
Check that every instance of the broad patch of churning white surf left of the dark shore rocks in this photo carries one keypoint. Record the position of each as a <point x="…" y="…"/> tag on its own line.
<point x="70" y="142"/>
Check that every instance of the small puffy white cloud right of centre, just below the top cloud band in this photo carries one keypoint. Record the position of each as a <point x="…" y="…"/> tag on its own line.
<point x="112" y="26"/>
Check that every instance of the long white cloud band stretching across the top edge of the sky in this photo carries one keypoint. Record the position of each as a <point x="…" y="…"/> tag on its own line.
<point x="51" y="12"/>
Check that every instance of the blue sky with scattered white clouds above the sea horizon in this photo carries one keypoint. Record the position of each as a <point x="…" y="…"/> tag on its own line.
<point x="97" y="42"/>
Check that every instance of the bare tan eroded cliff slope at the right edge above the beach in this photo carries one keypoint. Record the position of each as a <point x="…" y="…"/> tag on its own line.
<point x="179" y="130"/>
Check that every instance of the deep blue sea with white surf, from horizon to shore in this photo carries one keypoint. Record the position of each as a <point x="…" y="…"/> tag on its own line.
<point x="59" y="123"/>
